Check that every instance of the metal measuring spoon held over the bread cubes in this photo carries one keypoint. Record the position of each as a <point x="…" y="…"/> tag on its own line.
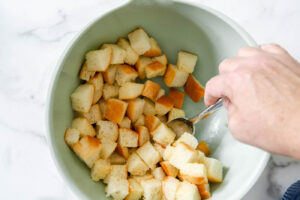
<point x="181" y="125"/>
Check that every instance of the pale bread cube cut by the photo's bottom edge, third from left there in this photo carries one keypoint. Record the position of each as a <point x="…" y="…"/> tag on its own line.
<point x="152" y="189"/>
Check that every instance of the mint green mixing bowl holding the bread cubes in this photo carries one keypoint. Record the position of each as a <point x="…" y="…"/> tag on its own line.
<point x="175" y="26"/>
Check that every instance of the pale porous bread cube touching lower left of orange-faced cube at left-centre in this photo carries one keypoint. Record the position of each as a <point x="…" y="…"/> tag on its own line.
<point x="107" y="129"/>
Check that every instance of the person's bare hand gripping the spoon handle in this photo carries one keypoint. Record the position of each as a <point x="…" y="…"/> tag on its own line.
<point x="261" y="91"/>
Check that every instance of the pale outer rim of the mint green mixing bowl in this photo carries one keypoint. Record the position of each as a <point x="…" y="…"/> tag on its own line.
<point x="53" y="81"/>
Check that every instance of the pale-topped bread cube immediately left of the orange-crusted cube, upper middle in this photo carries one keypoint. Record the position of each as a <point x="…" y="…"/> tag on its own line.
<point x="130" y="90"/>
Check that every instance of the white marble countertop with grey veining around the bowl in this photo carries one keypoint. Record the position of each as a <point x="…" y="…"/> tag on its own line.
<point x="33" y="35"/>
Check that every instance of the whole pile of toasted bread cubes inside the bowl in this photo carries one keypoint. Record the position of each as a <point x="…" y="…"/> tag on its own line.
<point x="120" y="131"/>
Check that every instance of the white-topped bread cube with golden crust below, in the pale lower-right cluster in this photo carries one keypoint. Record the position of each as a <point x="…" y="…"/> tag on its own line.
<point x="194" y="173"/>
